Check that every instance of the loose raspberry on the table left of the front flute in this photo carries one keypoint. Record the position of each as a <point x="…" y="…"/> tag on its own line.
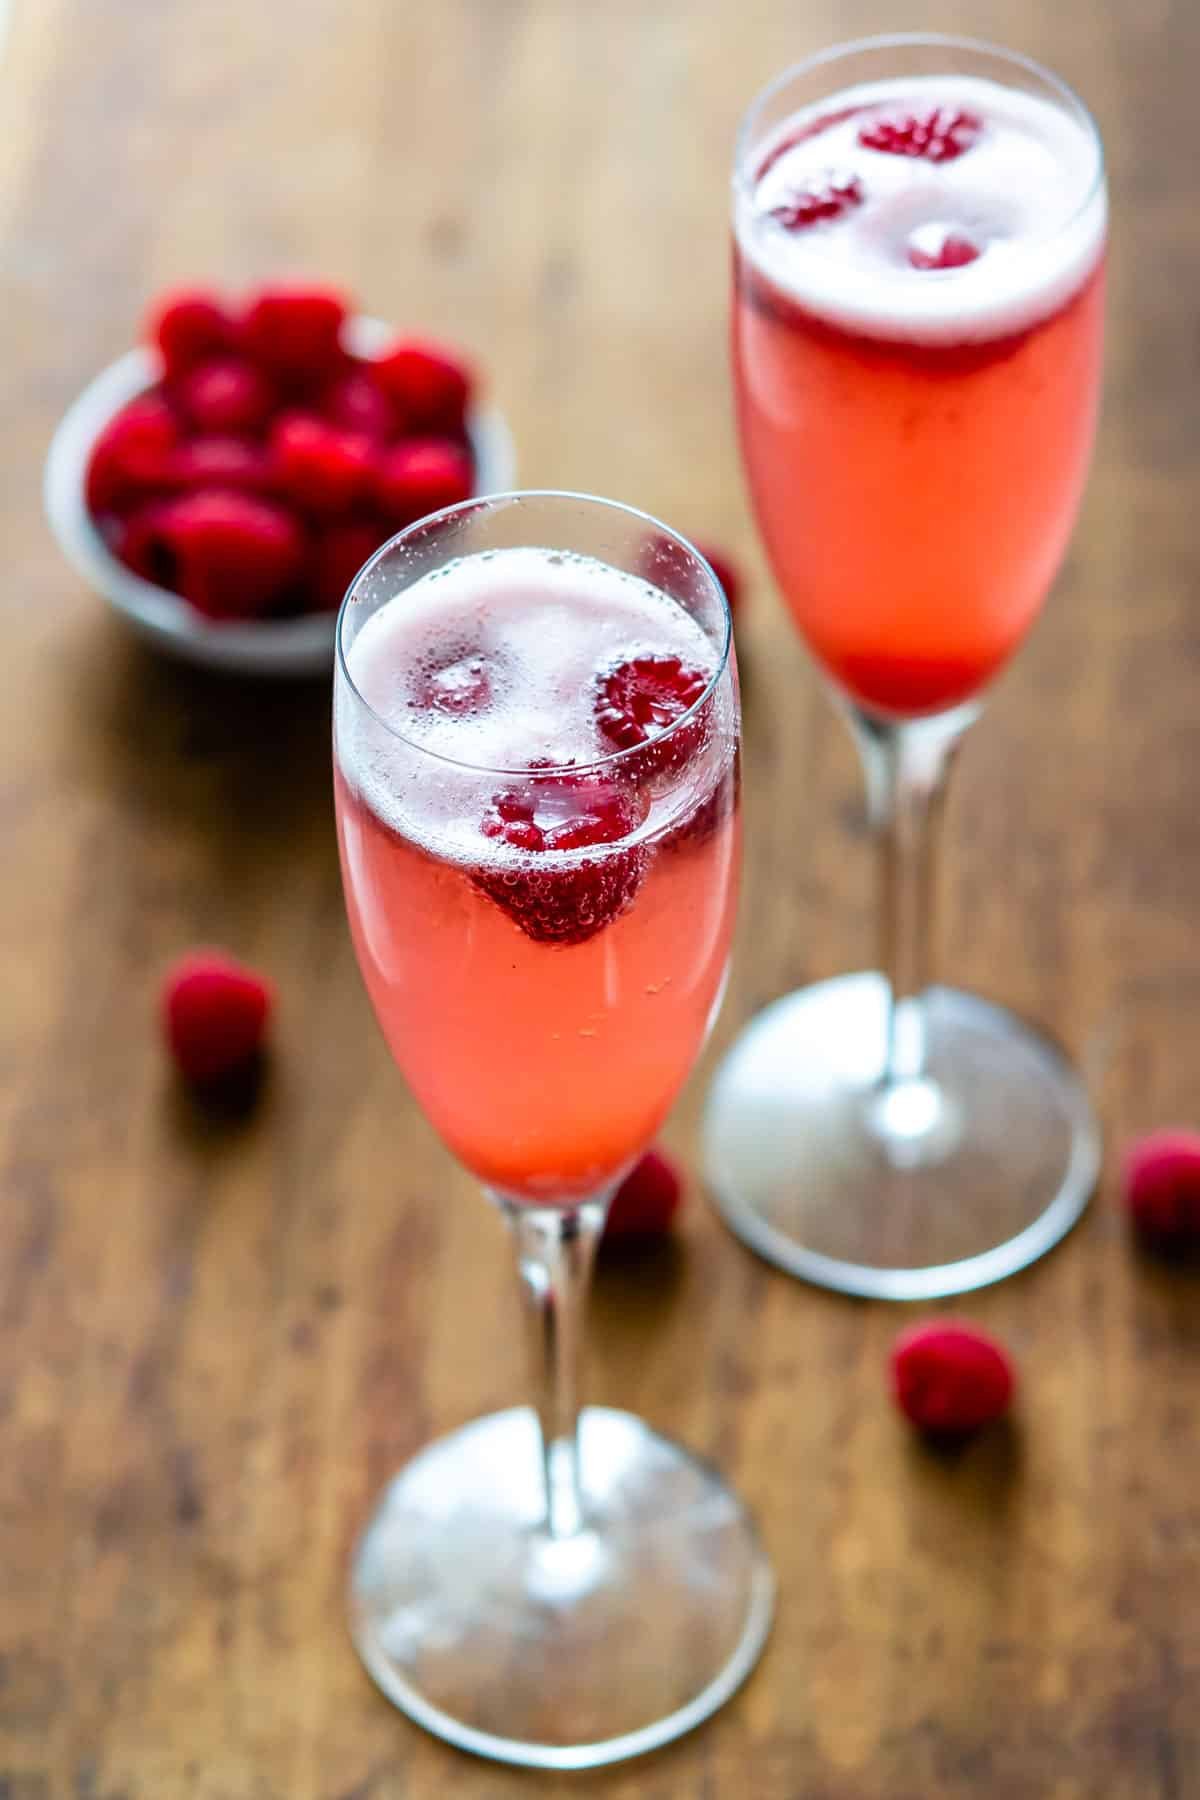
<point x="215" y="1016"/>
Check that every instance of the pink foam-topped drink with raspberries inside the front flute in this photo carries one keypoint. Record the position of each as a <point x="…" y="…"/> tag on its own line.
<point x="544" y="949"/>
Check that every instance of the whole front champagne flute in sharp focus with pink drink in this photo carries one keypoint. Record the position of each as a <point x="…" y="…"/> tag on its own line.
<point x="537" y="789"/>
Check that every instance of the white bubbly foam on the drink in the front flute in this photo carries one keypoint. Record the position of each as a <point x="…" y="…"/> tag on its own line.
<point x="541" y="624"/>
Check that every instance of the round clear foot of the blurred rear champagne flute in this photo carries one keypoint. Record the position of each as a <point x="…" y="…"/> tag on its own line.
<point x="935" y="1187"/>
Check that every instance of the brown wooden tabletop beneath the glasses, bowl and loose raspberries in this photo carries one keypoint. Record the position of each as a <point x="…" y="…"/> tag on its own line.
<point x="219" y="1340"/>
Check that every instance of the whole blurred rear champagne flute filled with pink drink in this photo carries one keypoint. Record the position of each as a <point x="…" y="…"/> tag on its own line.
<point x="917" y="336"/>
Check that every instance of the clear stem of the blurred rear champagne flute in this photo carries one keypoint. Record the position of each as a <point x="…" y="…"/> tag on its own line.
<point x="908" y="764"/>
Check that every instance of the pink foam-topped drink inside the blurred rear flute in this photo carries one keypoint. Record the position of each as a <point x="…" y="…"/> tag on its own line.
<point x="917" y="352"/>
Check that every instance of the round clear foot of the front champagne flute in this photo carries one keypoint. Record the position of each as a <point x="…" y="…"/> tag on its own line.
<point x="559" y="1653"/>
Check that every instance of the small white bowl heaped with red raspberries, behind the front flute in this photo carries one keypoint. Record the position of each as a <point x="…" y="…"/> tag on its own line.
<point x="224" y="483"/>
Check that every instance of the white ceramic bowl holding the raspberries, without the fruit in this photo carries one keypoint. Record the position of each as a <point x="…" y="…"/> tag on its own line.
<point x="273" y="647"/>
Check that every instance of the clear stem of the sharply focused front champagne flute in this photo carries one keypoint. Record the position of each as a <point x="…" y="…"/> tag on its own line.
<point x="555" y="1255"/>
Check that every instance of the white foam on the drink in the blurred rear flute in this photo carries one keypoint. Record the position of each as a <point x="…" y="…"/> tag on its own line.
<point x="1028" y="193"/>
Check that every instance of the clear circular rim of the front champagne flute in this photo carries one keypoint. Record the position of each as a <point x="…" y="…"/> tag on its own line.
<point x="512" y="498"/>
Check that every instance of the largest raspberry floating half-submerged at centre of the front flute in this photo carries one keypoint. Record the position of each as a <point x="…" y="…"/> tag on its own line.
<point x="548" y="813"/>
